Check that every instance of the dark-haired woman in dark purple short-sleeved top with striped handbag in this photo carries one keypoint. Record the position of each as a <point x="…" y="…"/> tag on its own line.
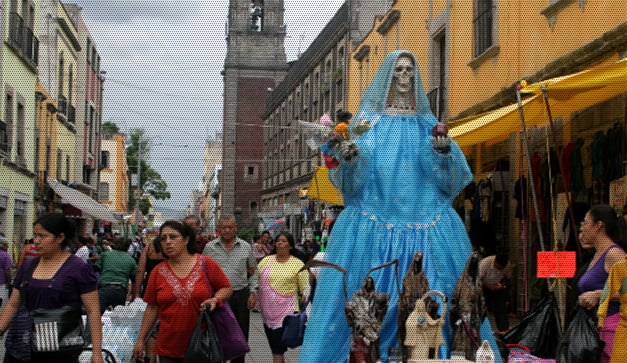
<point x="58" y="279"/>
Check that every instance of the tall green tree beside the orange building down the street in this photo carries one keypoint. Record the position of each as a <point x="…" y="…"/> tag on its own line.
<point x="149" y="179"/>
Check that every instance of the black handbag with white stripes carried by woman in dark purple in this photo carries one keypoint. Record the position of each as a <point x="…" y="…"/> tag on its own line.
<point x="58" y="330"/>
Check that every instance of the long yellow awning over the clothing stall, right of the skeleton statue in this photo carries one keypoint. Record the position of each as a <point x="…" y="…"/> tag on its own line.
<point x="566" y="95"/>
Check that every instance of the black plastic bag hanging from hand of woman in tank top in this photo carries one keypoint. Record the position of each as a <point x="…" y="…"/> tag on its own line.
<point x="581" y="342"/>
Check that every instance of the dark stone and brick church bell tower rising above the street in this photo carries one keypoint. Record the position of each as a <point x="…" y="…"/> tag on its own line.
<point x="255" y="63"/>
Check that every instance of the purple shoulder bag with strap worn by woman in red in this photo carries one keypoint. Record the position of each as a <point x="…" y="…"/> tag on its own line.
<point x="230" y="335"/>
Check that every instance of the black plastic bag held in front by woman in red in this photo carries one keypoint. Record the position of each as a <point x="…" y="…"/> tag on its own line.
<point x="204" y="345"/>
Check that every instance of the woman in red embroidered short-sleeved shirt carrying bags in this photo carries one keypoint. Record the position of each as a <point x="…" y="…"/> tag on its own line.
<point x="177" y="290"/>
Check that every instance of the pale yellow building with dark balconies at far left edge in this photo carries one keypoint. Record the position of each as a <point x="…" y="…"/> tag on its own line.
<point x="18" y="70"/>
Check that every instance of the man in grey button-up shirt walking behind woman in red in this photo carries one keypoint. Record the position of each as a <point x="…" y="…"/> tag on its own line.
<point x="235" y="257"/>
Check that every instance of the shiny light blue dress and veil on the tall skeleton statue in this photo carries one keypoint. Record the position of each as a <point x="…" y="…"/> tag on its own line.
<point x="398" y="197"/>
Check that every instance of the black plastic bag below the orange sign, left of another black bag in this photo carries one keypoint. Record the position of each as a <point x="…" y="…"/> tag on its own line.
<point x="540" y="329"/>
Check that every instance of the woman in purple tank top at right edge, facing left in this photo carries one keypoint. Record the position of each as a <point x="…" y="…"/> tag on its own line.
<point x="605" y="231"/>
